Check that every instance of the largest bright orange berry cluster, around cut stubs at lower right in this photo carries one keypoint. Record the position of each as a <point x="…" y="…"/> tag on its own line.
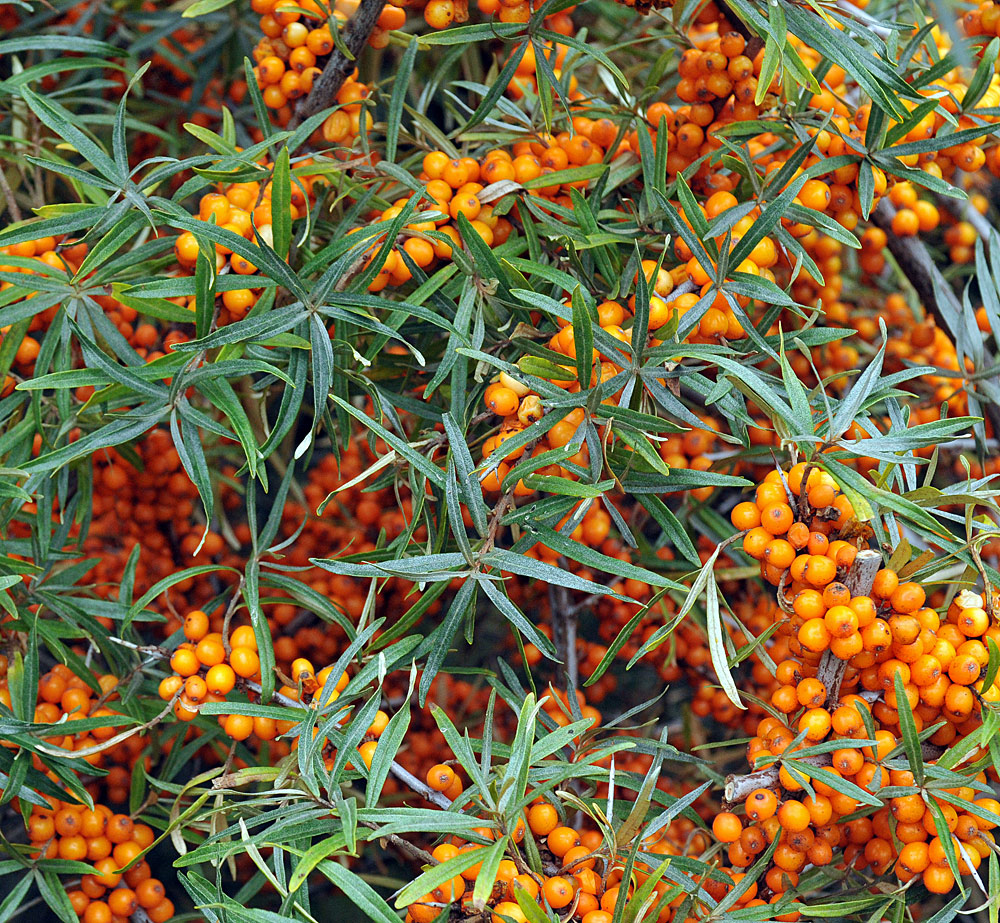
<point x="885" y="638"/>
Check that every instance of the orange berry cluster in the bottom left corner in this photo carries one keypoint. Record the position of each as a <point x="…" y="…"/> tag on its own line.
<point x="110" y="842"/>
